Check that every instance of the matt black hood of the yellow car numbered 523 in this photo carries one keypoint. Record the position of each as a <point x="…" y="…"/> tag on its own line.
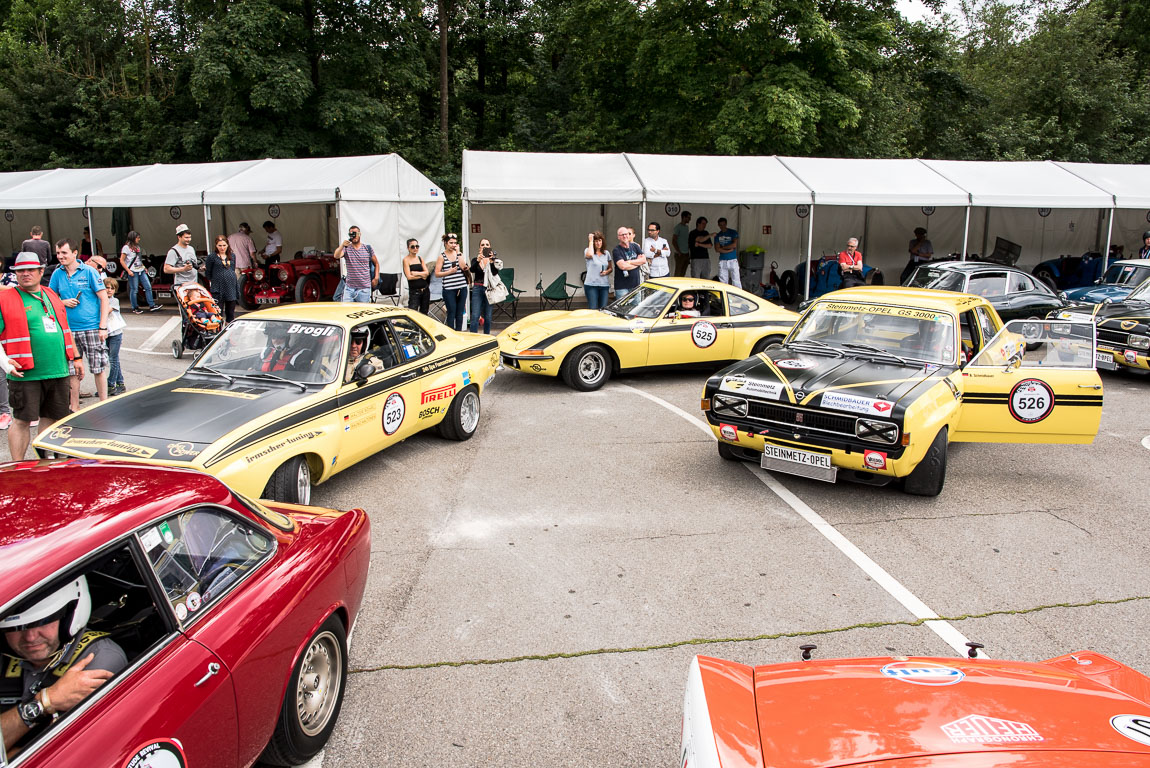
<point x="172" y="421"/>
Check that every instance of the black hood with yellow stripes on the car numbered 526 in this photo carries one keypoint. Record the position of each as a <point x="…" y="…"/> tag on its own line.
<point x="849" y="385"/>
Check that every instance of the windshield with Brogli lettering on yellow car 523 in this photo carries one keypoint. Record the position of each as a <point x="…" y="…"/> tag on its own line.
<point x="308" y="354"/>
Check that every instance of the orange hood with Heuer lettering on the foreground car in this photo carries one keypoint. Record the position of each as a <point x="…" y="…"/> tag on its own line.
<point x="875" y="710"/>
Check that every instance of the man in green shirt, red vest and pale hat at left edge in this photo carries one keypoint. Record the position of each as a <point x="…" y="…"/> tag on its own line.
<point x="36" y="347"/>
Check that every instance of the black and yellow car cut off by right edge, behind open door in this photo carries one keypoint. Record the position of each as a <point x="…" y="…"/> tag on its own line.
<point x="1124" y="329"/>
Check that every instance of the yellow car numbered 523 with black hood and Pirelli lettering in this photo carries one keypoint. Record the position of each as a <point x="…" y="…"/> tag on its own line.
<point x="273" y="405"/>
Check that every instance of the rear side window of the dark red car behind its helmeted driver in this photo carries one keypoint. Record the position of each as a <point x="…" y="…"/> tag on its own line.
<point x="201" y="554"/>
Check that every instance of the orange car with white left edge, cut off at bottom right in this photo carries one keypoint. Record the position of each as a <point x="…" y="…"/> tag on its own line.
<point x="1079" y="711"/>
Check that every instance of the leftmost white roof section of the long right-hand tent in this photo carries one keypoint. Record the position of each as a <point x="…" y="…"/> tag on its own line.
<point x="549" y="178"/>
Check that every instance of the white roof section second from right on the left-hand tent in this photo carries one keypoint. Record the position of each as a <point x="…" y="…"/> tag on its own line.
<point x="167" y="186"/>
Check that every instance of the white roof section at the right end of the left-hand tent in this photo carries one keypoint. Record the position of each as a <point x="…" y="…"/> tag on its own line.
<point x="387" y="179"/>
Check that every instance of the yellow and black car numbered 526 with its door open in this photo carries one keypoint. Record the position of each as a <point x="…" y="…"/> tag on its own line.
<point x="875" y="383"/>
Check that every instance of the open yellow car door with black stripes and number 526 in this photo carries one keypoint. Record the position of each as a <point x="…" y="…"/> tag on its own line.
<point x="1036" y="382"/>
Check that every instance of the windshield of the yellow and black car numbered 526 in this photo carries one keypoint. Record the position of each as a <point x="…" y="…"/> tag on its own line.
<point x="913" y="334"/>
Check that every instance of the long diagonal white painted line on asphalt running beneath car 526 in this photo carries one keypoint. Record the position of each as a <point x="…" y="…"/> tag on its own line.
<point x="919" y="610"/>
